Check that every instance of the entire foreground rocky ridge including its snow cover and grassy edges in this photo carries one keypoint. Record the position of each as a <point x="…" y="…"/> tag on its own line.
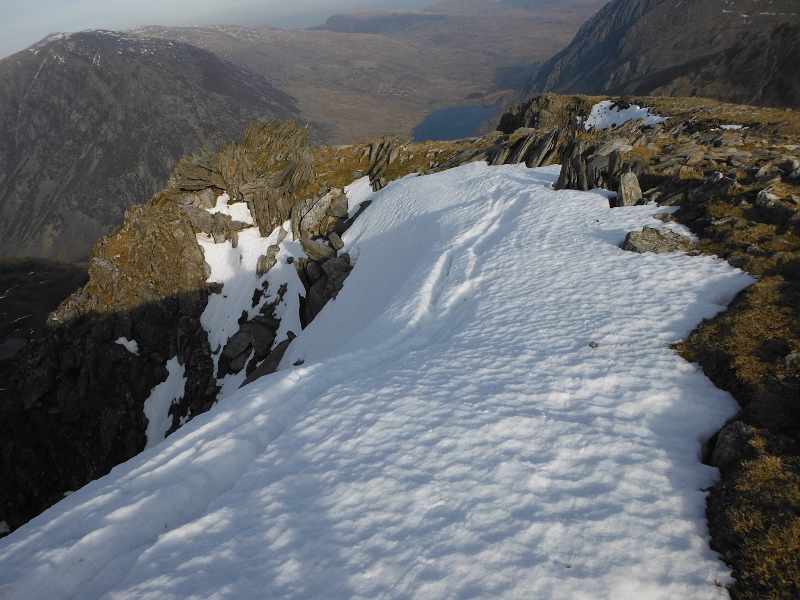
<point x="188" y="297"/>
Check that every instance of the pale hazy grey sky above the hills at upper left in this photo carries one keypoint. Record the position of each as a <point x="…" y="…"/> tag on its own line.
<point x="24" y="22"/>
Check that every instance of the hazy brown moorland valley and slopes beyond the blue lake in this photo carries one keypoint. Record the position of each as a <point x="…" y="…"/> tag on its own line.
<point x="381" y="73"/>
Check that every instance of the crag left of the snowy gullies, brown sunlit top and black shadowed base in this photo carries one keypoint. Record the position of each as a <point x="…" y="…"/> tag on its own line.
<point x="75" y="404"/>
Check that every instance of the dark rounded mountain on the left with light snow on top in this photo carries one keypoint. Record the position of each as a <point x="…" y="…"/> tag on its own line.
<point x="92" y="123"/>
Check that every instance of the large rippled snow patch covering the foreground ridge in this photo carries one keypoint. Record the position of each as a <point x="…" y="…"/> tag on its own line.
<point x="451" y="432"/>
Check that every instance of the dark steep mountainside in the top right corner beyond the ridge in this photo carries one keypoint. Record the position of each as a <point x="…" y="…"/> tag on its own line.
<point x="740" y="50"/>
